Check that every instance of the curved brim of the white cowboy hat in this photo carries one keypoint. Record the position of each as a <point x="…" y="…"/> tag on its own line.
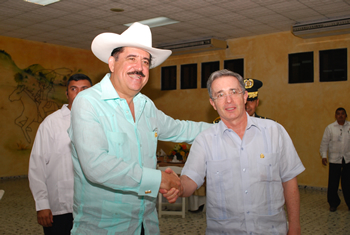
<point x="104" y="43"/>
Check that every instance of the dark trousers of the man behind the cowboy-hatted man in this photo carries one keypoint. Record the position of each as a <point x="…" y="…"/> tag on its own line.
<point x="62" y="224"/>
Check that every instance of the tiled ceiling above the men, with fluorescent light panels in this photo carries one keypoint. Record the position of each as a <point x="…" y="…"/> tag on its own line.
<point x="75" y="23"/>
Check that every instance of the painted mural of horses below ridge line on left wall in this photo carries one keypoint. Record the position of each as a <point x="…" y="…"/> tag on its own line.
<point x="32" y="93"/>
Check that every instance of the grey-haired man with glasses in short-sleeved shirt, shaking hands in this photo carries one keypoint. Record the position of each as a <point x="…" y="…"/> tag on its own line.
<point x="250" y="166"/>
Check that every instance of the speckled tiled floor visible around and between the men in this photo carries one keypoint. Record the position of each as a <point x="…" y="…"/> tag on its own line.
<point x="18" y="216"/>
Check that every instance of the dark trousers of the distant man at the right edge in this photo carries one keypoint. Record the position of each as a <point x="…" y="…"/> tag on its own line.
<point x="337" y="172"/>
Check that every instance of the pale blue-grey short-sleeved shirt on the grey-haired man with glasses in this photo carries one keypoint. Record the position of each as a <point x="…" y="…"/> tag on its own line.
<point x="244" y="176"/>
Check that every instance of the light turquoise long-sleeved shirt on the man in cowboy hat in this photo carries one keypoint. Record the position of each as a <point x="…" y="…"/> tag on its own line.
<point x="114" y="158"/>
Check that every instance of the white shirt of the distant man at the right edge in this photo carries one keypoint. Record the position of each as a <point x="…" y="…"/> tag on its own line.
<point x="336" y="141"/>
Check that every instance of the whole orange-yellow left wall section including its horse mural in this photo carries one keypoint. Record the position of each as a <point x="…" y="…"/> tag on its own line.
<point x="33" y="78"/>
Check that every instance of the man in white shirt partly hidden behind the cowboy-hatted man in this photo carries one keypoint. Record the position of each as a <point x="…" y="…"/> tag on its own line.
<point x="50" y="166"/>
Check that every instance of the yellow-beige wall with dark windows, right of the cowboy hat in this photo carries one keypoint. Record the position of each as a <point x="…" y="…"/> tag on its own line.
<point x="303" y="109"/>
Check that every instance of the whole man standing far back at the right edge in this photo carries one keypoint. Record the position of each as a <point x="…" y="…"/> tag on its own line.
<point x="336" y="141"/>
